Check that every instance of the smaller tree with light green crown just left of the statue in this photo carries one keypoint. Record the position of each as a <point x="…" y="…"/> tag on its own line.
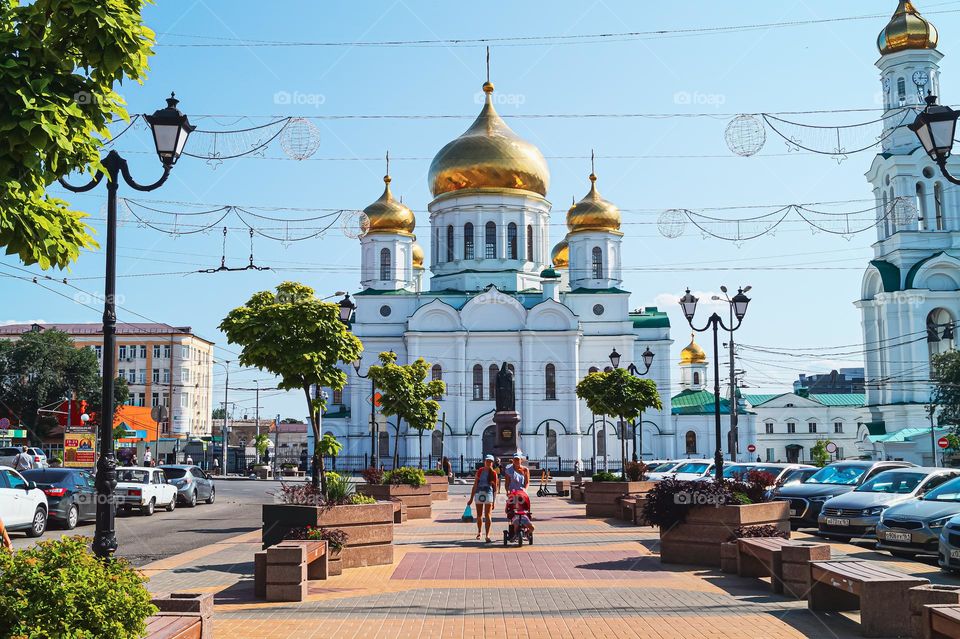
<point x="406" y="395"/>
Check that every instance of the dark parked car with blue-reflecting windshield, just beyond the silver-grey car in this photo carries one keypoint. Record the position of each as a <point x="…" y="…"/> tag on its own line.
<point x="806" y="499"/>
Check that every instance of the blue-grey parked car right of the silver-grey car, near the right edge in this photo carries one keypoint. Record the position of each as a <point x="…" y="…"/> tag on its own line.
<point x="914" y="527"/>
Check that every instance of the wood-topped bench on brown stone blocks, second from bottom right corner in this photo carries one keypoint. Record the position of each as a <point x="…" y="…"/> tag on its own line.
<point x="881" y="594"/>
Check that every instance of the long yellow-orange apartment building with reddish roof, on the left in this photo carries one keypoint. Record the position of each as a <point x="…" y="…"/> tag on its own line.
<point x="163" y="365"/>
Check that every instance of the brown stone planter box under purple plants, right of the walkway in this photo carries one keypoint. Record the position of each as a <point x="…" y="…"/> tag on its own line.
<point x="697" y="541"/>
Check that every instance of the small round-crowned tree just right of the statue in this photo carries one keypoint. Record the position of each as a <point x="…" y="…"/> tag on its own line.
<point x="620" y="394"/>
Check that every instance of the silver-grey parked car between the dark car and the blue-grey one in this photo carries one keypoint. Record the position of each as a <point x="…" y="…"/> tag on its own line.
<point x="855" y="514"/>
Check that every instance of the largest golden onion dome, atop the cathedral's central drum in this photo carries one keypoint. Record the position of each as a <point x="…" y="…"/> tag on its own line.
<point x="488" y="155"/>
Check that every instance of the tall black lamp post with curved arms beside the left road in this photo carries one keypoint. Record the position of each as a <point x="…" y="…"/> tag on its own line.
<point x="170" y="132"/>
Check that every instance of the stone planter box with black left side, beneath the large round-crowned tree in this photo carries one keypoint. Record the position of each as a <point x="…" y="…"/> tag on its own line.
<point x="369" y="529"/>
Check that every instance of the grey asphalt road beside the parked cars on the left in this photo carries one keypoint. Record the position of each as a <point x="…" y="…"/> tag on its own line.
<point x="145" y="539"/>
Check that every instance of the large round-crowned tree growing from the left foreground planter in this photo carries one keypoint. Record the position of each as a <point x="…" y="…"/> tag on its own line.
<point x="300" y="339"/>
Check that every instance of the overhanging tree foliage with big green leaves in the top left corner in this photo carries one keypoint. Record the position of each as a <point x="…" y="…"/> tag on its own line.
<point x="61" y="59"/>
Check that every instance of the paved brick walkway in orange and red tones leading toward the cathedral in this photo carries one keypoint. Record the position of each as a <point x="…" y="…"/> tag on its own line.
<point x="583" y="578"/>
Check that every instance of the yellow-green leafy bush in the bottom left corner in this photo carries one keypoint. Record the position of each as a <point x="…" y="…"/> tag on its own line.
<point x="57" y="589"/>
